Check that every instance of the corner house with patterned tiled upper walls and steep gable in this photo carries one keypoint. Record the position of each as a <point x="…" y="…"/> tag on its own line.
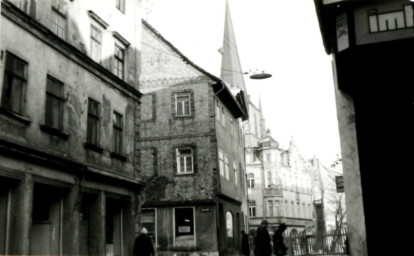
<point x="192" y="153"/>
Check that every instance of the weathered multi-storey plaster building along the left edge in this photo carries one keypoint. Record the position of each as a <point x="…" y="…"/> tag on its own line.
<point x="69" y="113"/>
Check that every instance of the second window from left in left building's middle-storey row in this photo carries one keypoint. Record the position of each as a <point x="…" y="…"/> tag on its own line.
<point x="54" y="103"/>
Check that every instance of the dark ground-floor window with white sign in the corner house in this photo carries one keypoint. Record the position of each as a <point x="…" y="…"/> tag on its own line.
<point x="184" y="227"/>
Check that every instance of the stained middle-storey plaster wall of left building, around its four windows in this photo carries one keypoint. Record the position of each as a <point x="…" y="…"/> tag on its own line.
<point x="79" y="84"/>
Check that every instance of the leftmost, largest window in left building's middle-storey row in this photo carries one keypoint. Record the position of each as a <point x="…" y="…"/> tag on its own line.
<point x="14" y="84"/>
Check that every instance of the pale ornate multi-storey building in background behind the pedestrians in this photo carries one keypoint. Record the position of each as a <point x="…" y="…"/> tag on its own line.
<point x="279" y="181"/>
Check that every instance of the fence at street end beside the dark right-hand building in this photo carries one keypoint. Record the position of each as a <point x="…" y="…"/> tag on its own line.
<point x="330" y="243"/>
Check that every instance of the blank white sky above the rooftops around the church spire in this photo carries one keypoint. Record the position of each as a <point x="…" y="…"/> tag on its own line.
<point x="280" y="37"/>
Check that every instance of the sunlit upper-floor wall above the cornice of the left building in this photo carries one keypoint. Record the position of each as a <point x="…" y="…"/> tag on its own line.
<point x="79" y="25"/>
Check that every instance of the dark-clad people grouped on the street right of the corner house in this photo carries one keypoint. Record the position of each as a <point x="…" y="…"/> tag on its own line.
<point x="263" y="242"/>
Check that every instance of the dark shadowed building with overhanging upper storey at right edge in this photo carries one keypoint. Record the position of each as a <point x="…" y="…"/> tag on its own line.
<point x="369" y="42"/>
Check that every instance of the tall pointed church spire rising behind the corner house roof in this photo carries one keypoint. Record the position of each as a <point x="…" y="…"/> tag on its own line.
<point x="231" y="70"/>
